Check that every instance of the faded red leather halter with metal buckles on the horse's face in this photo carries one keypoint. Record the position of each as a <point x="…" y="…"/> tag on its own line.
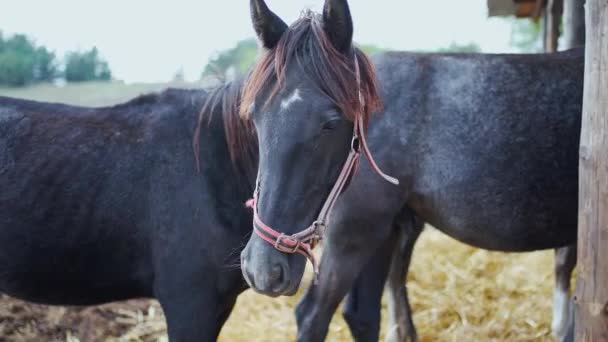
<point x="304" y="241"/>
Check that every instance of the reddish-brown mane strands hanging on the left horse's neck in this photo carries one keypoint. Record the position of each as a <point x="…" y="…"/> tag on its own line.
<point x="240" y="134"/>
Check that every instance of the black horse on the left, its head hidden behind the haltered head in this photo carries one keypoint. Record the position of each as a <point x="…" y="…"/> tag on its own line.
<point x="105" y="204"/>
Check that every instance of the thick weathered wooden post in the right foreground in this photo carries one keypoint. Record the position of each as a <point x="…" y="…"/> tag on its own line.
<point x="592" y="281"/>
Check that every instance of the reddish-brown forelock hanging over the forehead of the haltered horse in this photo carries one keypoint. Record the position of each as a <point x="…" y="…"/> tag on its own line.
<point x="307" y="44"/>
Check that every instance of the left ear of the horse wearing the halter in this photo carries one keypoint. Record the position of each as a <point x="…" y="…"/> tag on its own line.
<point x="267" y="25"/>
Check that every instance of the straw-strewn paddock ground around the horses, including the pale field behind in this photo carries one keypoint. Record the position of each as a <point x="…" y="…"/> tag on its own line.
<point x="458" y="293"/>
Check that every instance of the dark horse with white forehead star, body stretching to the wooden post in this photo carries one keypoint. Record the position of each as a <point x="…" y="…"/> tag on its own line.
<point x="485" y="148"/>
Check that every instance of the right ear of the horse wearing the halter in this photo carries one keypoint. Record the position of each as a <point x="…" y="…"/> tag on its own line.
<point x="338" y="24"/>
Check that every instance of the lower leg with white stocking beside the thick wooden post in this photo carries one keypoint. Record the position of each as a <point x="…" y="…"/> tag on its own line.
<point x="565" y="260"/>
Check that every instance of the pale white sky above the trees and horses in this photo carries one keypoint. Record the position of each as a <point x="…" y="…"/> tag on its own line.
<point x="149" y="40"/>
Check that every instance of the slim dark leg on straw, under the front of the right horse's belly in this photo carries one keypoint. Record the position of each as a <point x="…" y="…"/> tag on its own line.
<point x="400" y="324"/>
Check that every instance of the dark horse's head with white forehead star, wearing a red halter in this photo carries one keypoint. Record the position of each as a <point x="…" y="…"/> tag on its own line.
<point x="306" y="96"/>
